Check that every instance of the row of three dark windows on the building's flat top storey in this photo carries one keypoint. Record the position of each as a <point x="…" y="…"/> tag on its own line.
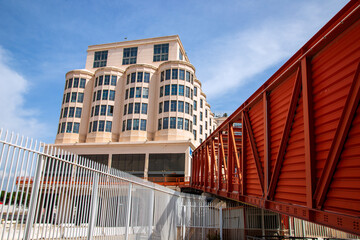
<point x="161" y="53"/>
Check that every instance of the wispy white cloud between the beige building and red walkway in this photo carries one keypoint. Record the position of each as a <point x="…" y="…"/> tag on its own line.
<point x="232" y="61"/>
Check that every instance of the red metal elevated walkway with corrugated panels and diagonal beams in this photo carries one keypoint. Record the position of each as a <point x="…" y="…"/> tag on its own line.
<point x="294" y="145"/>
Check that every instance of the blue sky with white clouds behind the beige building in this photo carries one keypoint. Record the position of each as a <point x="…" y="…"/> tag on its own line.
<point x="234" y="45"/>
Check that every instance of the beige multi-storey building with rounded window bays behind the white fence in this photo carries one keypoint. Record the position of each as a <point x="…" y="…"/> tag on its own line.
<point x="137" y="106"/>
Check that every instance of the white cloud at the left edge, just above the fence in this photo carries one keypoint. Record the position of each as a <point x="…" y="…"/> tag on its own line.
<point x="13" y="114"/>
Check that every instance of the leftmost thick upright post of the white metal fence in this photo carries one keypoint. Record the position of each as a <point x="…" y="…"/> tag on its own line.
<point x="33" y="198"/>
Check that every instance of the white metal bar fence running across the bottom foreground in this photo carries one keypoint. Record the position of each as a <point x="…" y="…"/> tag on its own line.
<point x="47" y="193"/>
